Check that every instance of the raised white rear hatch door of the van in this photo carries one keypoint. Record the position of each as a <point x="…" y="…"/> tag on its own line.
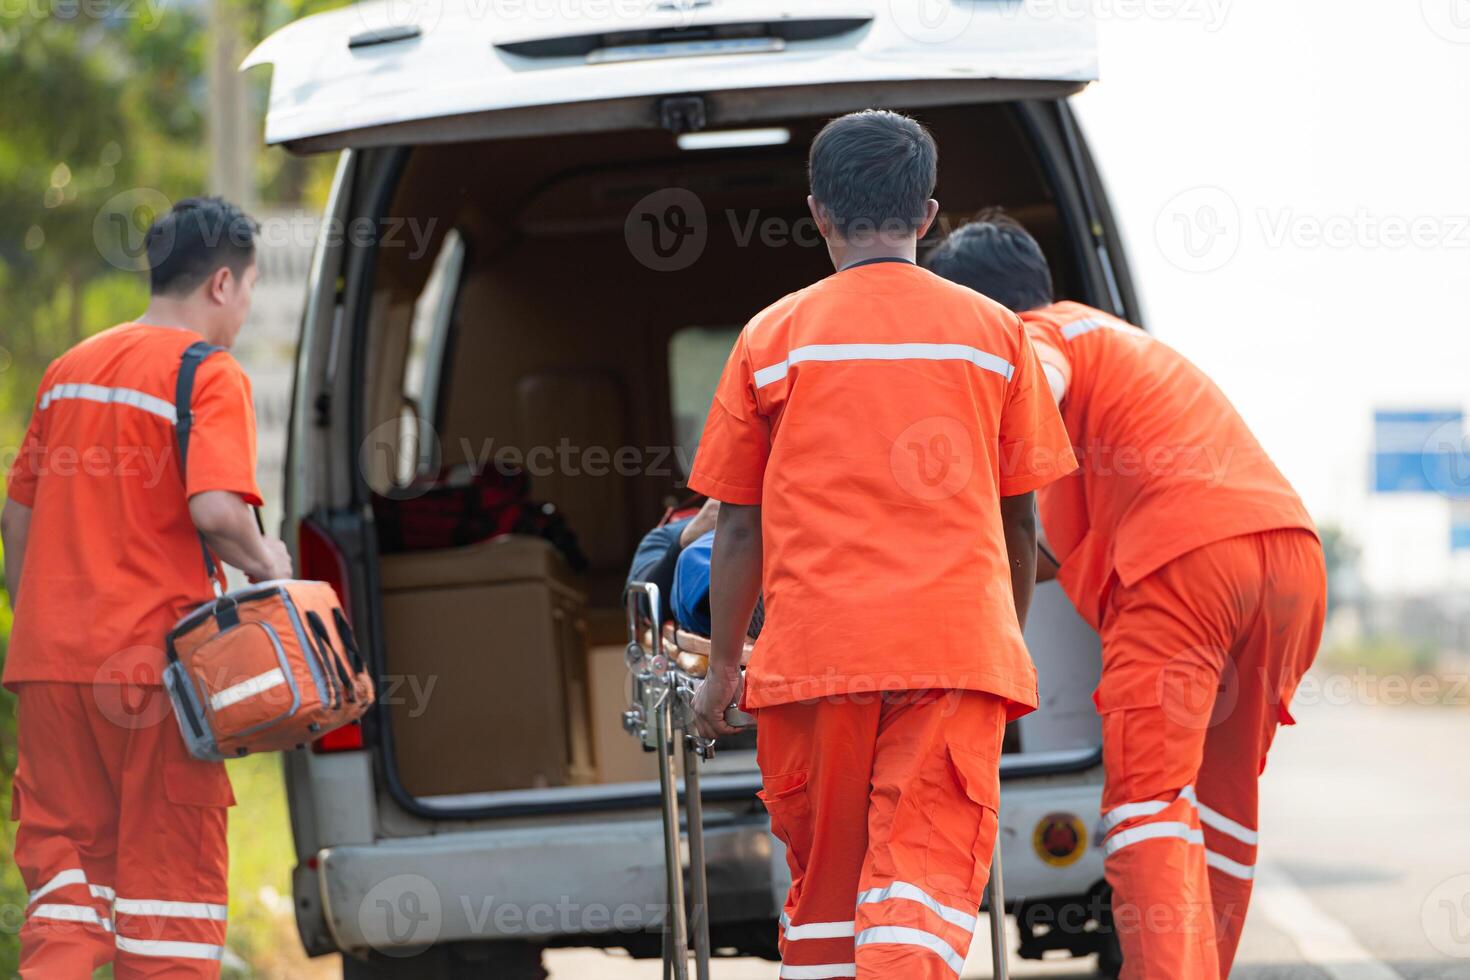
<point x="395" y="73"/>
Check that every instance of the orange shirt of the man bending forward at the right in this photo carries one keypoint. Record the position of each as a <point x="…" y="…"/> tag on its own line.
<point x="1166" y="462"/>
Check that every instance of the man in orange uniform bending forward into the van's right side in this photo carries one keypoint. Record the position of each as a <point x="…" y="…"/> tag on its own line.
<point x="1186" y="547"/>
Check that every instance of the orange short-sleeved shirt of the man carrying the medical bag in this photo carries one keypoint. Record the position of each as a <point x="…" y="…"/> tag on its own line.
<point x="114" y="561"/>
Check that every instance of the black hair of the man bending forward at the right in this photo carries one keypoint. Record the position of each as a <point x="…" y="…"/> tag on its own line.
<point x="996" y="256"/>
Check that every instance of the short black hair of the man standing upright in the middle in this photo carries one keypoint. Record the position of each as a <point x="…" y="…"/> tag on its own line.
<point x="874" y="171"/>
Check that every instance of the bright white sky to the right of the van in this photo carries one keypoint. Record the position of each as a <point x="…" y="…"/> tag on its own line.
<point x="1294" y="186"/>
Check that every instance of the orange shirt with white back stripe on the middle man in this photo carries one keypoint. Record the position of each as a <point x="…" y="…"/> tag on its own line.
<point x="878" y="417"/>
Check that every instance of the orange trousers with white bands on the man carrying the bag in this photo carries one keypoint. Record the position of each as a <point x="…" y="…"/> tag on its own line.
<point x="121" y="837"/>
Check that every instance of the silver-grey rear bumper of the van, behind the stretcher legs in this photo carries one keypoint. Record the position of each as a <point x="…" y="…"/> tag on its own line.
<point x="605" y="876"/>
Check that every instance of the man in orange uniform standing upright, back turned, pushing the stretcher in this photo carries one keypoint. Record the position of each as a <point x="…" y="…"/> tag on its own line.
<point x="877" y="440"/>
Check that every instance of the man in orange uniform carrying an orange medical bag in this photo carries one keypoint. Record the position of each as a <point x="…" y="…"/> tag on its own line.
<point x="121" y="835"/>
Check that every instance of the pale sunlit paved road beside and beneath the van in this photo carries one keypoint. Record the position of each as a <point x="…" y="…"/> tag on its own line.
<point x="1365" y="860"/>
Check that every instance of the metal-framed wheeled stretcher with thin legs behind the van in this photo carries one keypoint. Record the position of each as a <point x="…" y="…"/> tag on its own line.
<point x="668" y="666"/>
